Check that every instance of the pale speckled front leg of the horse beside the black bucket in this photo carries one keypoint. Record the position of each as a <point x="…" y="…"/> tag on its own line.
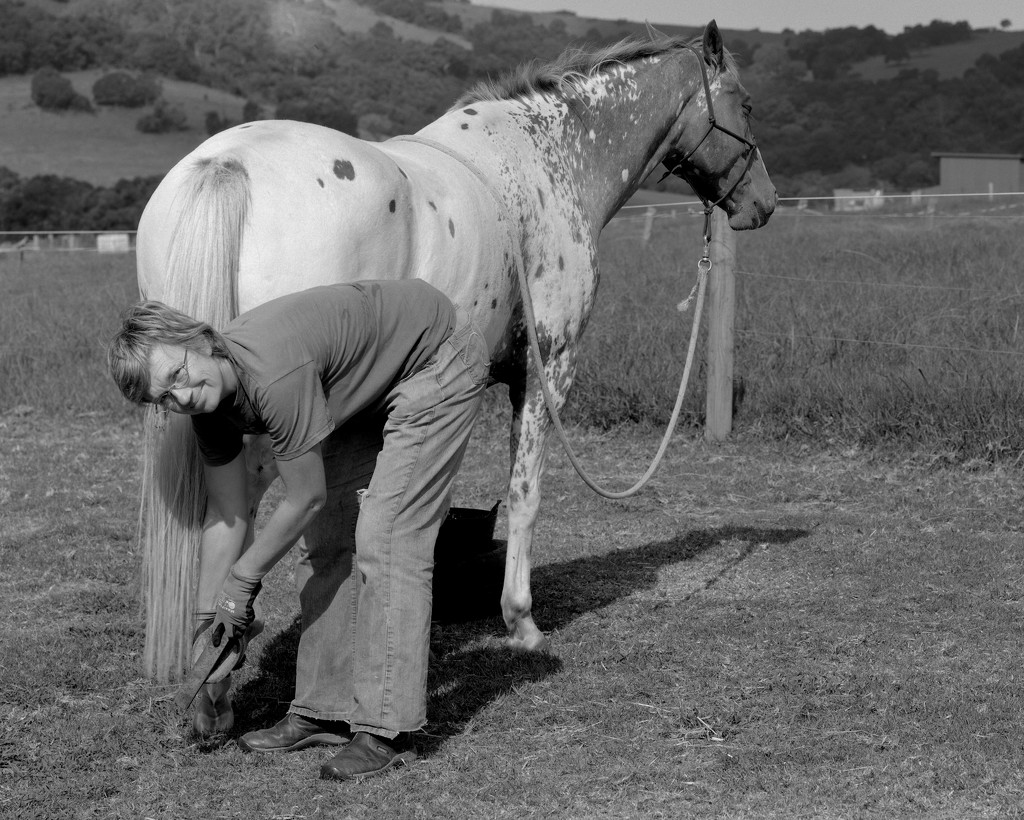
<point x="531" y="425"/>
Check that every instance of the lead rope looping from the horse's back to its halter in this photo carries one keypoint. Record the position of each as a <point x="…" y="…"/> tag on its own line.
<point x="704" y="268"/>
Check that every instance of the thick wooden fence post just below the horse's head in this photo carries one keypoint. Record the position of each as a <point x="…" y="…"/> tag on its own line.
<point x="721" y="324"/>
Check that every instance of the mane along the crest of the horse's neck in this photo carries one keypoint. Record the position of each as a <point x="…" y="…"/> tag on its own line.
<point x="576" y="65"/>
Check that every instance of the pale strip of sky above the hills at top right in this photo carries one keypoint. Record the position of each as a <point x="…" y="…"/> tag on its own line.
<point x="775" y="16"/>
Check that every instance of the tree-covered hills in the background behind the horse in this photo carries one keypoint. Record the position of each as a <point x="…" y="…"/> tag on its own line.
<point x="818" y="108"/>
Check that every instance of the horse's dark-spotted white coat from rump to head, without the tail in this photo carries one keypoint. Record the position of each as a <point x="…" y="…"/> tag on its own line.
<point x="540" y="168"/>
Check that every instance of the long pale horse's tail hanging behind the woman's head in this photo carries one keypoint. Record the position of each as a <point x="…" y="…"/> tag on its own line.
<point x="201" y="281"/>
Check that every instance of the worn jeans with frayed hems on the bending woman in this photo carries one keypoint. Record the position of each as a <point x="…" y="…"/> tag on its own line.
<point x="365" y="572"/>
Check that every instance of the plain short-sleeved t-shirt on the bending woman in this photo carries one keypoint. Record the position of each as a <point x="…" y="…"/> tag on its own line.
<point x="311" y="361"/>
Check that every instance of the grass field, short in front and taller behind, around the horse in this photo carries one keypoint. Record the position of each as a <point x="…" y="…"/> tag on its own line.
<point x="807" y="621"/>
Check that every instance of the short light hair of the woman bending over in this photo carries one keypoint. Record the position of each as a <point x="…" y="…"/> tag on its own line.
<point x="149" y="324"/>
